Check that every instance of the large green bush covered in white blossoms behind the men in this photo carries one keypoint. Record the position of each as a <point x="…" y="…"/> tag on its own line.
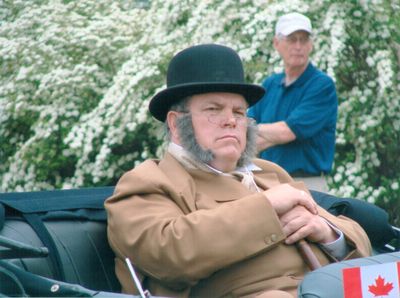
<point x="76" y="78"/>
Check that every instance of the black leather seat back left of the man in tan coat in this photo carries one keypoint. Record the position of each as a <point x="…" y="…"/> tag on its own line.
<point x="79" y="237"/>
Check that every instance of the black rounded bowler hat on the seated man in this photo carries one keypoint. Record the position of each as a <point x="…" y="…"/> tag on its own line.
<point x="202" y="69"/>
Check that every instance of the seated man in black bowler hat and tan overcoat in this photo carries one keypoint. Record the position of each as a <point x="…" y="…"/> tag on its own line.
<point x="208" y="219"/>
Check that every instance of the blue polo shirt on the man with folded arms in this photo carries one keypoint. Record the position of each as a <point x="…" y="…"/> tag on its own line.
<point x="309" y="107"/>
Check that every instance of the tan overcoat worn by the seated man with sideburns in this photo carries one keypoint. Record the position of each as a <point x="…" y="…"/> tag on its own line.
<point x="198" y="234"/>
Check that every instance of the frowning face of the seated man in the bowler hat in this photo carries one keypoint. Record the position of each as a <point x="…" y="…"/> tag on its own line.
<point x="220" y="125"/>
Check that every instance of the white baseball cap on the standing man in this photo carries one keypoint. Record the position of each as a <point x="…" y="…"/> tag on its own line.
<point x="291" y="22"/>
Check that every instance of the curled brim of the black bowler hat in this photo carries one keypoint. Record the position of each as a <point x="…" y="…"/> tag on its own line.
<point x="162" y="101"/>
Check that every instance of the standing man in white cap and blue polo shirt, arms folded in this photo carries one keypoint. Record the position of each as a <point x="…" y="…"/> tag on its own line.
<point x="297" y="115"/>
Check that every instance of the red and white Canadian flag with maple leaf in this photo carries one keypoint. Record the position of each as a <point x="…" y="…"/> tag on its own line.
<point x="381" y="280"/>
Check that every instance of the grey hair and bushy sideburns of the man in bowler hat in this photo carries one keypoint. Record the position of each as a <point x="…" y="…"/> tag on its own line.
<point x="189" y="142"/>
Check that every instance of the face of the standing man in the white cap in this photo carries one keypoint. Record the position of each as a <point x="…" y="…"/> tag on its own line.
<point x="294" y="49"/>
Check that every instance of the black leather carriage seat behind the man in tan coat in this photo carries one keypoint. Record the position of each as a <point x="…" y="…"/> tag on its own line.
<point x="71" y="224"/>
